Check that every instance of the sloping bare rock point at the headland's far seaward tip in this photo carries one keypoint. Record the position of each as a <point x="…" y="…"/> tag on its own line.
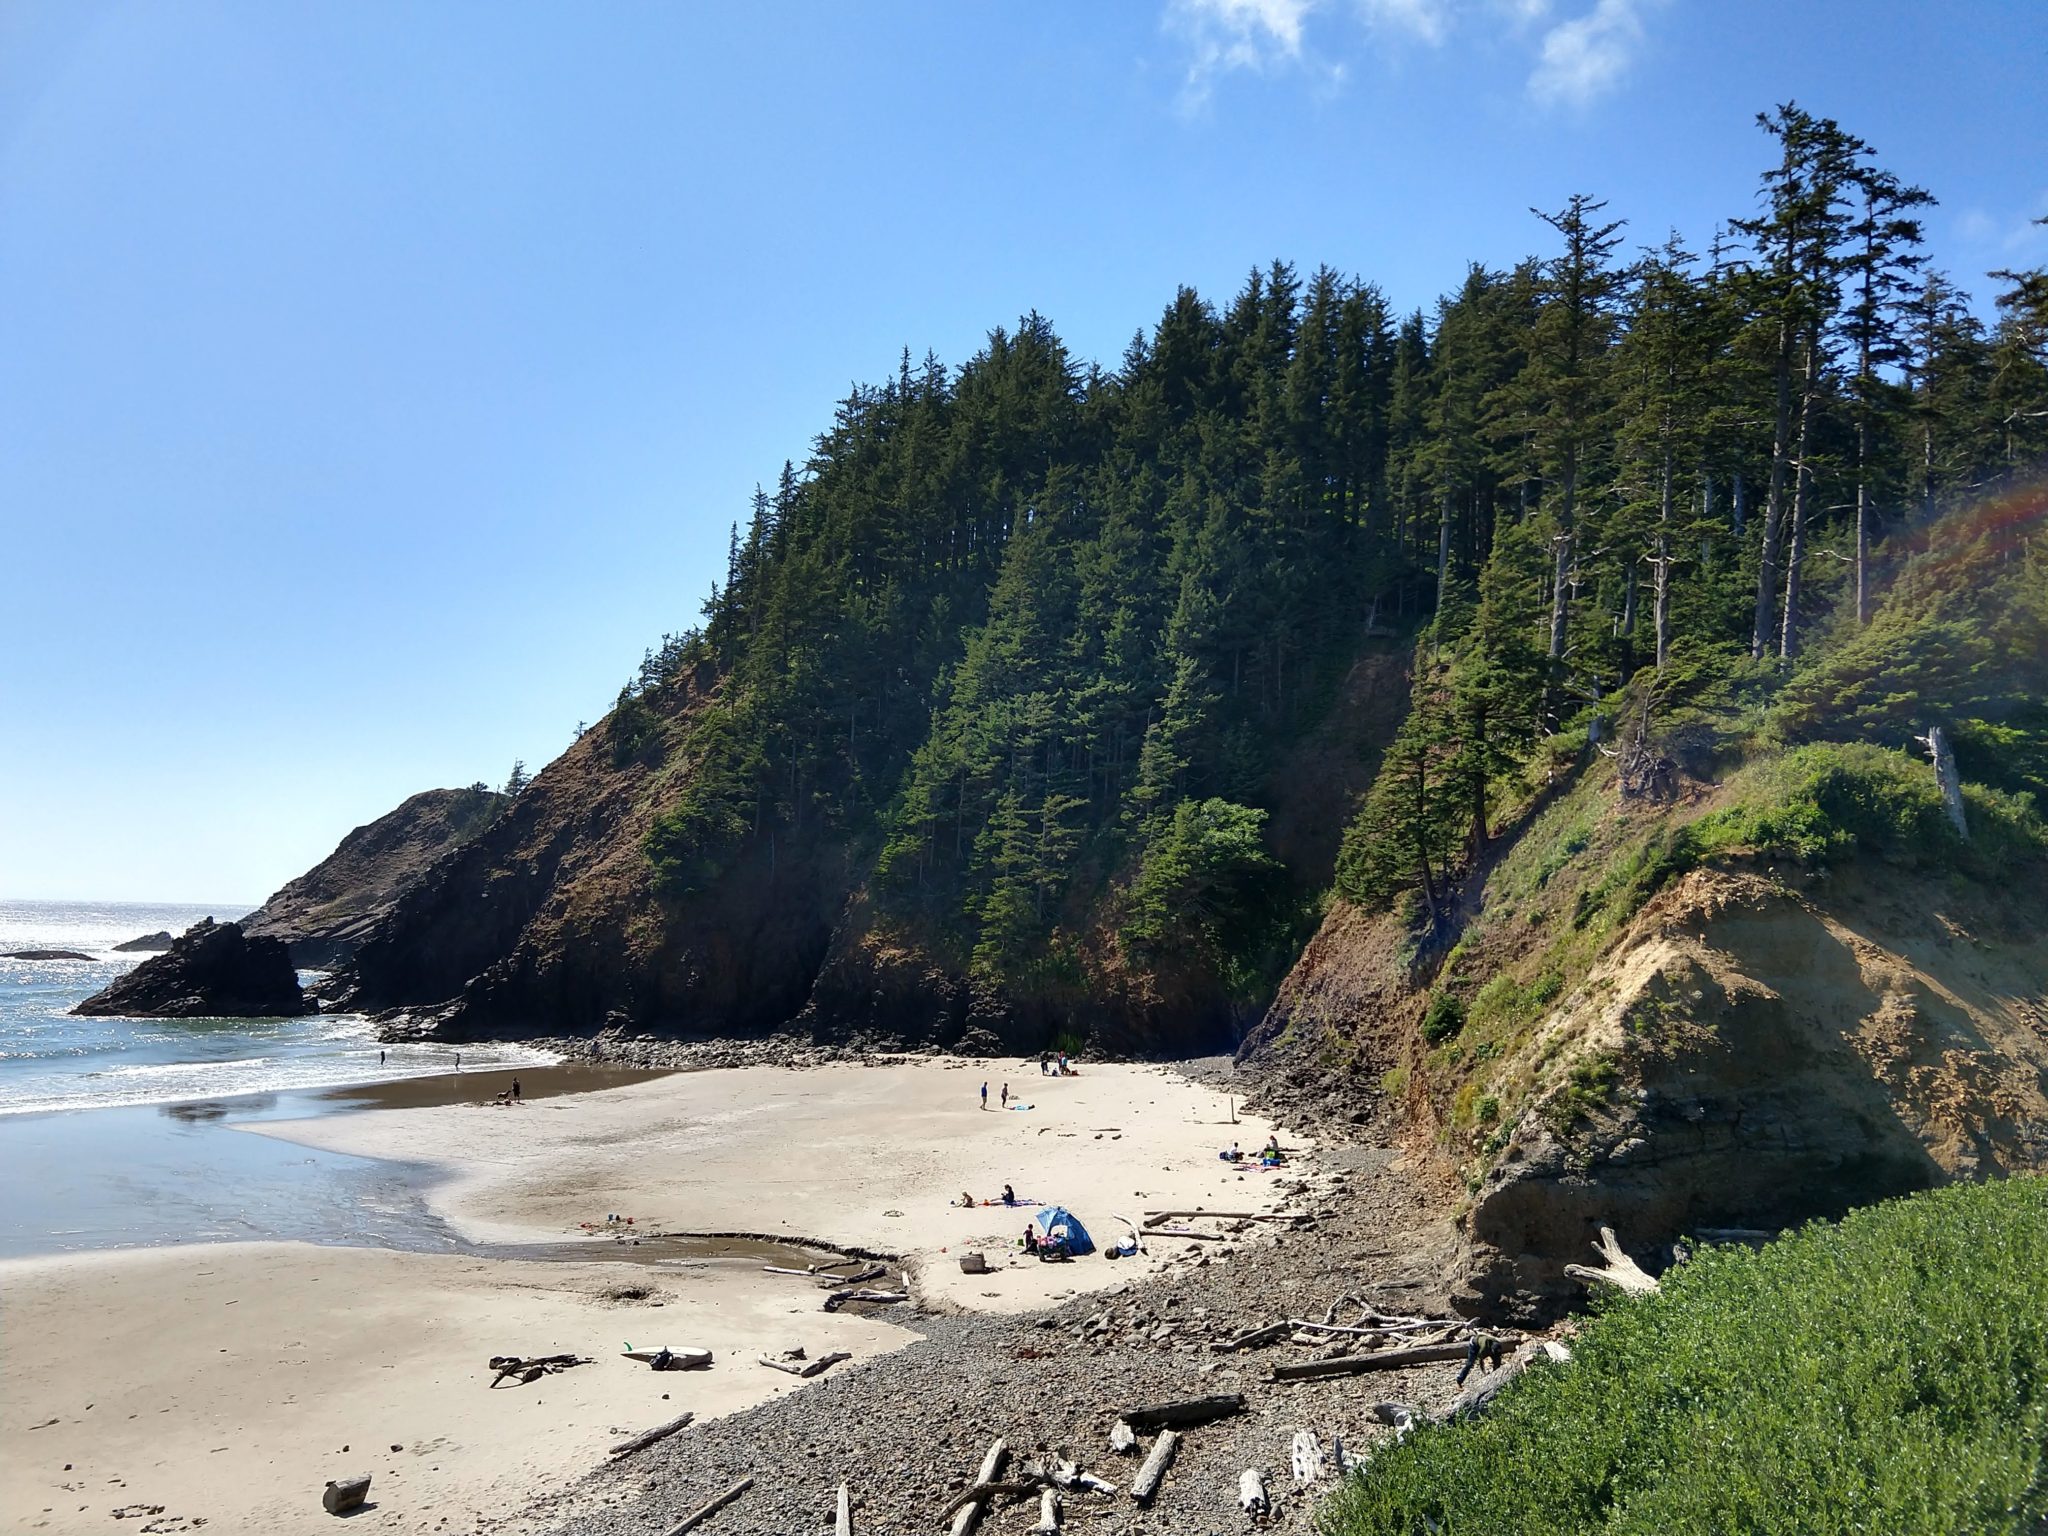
<point x="329" y="910"/>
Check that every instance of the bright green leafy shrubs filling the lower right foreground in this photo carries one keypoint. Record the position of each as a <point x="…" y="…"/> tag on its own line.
<point x="1881" y="1375"/>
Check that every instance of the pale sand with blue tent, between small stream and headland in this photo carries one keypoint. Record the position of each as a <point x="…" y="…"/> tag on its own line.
<point x="865" y="1156"/>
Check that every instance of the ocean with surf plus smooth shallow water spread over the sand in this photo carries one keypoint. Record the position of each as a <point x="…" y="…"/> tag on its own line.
<point x="122" y="1132"/>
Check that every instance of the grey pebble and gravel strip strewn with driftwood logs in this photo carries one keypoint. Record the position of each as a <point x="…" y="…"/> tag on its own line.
<point x="908" y="1431"/>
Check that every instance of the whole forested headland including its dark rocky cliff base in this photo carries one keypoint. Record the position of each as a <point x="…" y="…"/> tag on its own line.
<point x="1064" y="683"/>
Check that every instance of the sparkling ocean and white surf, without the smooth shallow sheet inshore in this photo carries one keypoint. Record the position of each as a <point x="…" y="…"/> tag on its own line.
<point x="54" y="1062"/>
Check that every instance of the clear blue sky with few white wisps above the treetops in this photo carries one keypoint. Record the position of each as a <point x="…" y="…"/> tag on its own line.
<point x="380" y="380"/>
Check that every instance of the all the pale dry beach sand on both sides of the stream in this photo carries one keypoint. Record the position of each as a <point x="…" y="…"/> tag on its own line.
<point x="228" y="1383"/>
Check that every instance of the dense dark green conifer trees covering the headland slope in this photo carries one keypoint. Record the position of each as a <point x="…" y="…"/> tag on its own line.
<point x="1035" y="636"/>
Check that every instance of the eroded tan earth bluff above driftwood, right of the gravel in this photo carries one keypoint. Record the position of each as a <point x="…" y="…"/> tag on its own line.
<point x="1750" y="1052"/>
